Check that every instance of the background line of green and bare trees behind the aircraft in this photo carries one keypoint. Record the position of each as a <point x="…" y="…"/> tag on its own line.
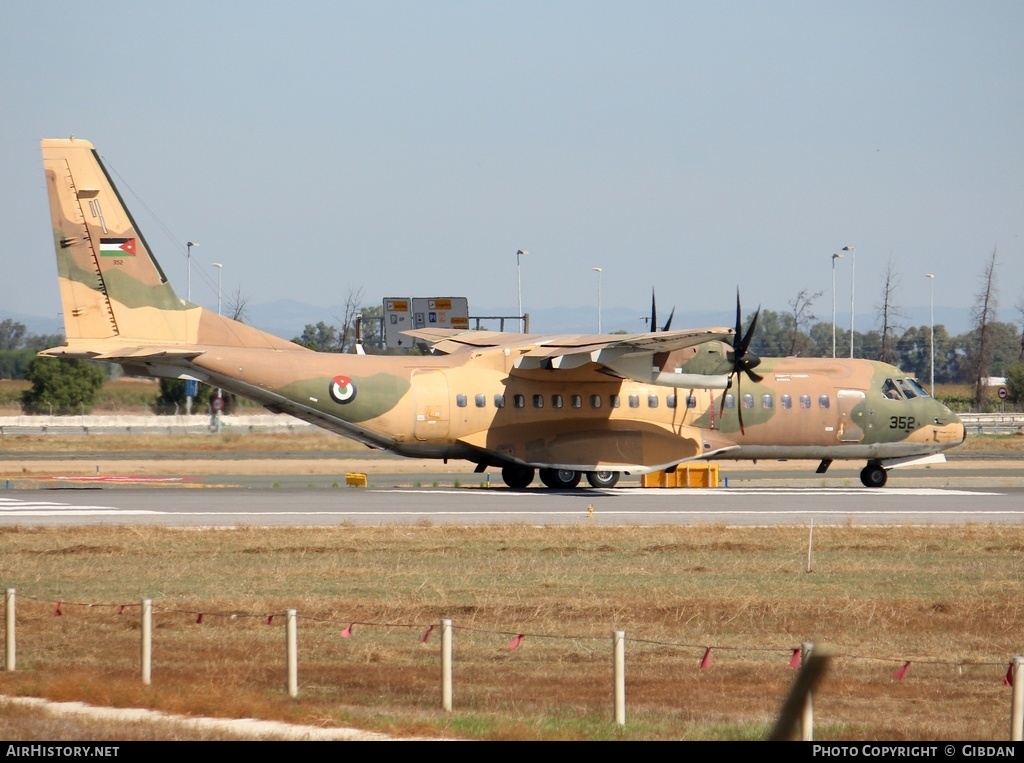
<point x="990" y="349"/>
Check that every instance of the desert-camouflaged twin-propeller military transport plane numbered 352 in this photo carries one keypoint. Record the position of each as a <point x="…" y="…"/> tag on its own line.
<point x="568" y="406"/>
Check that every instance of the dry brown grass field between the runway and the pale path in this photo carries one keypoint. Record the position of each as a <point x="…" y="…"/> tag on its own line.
<point x="948" y="600"/>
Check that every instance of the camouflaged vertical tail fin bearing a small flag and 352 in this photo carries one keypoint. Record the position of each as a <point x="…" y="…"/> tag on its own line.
<point x="113" y="290"/>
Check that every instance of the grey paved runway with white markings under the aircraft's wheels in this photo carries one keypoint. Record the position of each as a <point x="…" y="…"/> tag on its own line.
<point x="339" y="506"/>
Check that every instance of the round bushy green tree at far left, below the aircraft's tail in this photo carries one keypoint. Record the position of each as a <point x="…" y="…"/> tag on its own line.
<point x="64" y="387"/>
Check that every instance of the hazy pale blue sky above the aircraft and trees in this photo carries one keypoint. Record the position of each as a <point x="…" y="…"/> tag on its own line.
<point x="411" y="148"/>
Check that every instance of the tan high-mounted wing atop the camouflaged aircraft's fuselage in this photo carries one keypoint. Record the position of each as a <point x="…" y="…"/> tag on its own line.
<point x="625" y="356"/>
